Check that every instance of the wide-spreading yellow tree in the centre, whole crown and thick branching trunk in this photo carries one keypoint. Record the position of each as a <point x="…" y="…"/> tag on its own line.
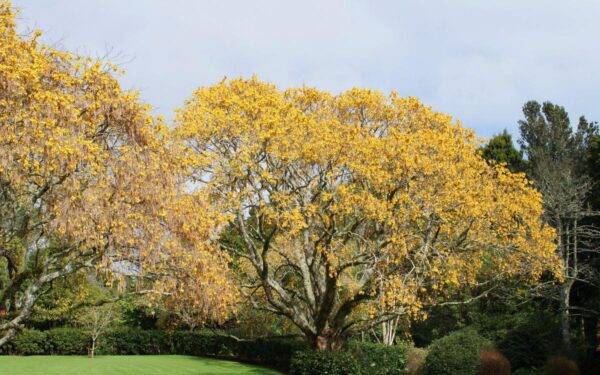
<point x="354" y="208"/>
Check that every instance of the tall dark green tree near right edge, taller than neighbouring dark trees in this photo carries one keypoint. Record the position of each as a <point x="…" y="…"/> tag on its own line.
<point x="558" y="160"/>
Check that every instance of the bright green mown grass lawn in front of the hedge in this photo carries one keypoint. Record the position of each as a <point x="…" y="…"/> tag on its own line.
<point x="130" y="365"/>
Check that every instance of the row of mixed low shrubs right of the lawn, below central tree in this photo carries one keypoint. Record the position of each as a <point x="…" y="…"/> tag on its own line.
<point x="459" y="353"/>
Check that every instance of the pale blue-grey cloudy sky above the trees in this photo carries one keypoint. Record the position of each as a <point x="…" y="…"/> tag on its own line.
<point x="476" y="60"/>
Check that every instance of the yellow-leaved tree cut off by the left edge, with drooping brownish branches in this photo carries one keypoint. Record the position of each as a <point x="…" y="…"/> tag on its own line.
<point x="90" y="181"/>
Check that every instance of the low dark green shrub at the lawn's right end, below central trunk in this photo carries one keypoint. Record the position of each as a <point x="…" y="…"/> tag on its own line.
<point x="311" y="362"/>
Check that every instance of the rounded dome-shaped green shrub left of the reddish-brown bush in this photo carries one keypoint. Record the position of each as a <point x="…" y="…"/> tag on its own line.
<point x="457" y="354"/>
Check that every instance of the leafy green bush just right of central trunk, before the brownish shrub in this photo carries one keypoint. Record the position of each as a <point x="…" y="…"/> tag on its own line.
<point x="377" y="359"/>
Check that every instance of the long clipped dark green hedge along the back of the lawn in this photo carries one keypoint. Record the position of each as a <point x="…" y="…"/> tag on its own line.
<point x="274" y="351"/>
